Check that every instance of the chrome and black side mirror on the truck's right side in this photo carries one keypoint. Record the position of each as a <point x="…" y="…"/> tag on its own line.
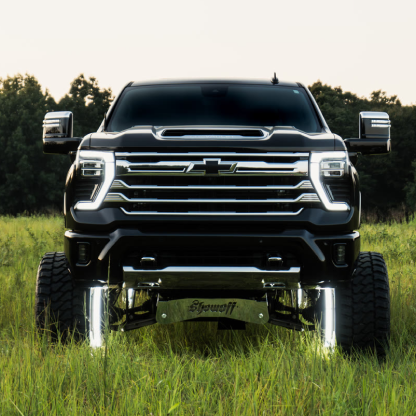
<point x="374" y="133"/>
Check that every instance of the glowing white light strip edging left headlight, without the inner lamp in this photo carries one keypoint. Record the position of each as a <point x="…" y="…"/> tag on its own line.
<point x="109" y="174"/>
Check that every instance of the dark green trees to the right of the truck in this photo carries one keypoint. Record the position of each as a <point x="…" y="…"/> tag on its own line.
<point x="383" y="177"/>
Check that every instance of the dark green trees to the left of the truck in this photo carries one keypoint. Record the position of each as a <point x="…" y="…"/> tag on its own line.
<point x="29" y="180"/>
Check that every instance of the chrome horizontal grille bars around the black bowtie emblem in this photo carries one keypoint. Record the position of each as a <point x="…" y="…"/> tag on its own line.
<point x="210" y="164"/>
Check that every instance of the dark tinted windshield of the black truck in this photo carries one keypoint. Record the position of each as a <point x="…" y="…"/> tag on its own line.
<point x="214" y="104"/>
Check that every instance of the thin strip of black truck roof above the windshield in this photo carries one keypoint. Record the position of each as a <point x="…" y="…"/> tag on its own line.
<point x="214" y="81"/>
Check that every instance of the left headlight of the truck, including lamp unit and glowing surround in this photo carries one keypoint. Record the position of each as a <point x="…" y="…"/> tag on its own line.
<point x="98" y="165"/>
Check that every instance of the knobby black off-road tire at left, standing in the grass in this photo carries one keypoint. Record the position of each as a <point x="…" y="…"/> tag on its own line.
<point x="59" y="306"/>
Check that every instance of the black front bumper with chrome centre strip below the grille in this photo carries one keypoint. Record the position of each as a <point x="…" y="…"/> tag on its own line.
<point x="115" y="257"/>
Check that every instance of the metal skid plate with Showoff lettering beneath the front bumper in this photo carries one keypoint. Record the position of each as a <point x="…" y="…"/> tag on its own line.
<point x="186" y="309"/>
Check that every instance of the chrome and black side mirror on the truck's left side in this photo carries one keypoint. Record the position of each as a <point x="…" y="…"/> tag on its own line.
<point x="58" y="132"/>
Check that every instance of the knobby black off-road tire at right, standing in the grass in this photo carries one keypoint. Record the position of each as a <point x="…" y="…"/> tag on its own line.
<point x="363" y="307"/>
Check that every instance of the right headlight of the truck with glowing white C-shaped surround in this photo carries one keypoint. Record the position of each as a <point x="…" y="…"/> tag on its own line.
<point x="328" y="165"/>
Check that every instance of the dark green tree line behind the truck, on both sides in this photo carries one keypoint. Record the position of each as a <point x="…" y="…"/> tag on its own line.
<point x="32" y="182"/>
